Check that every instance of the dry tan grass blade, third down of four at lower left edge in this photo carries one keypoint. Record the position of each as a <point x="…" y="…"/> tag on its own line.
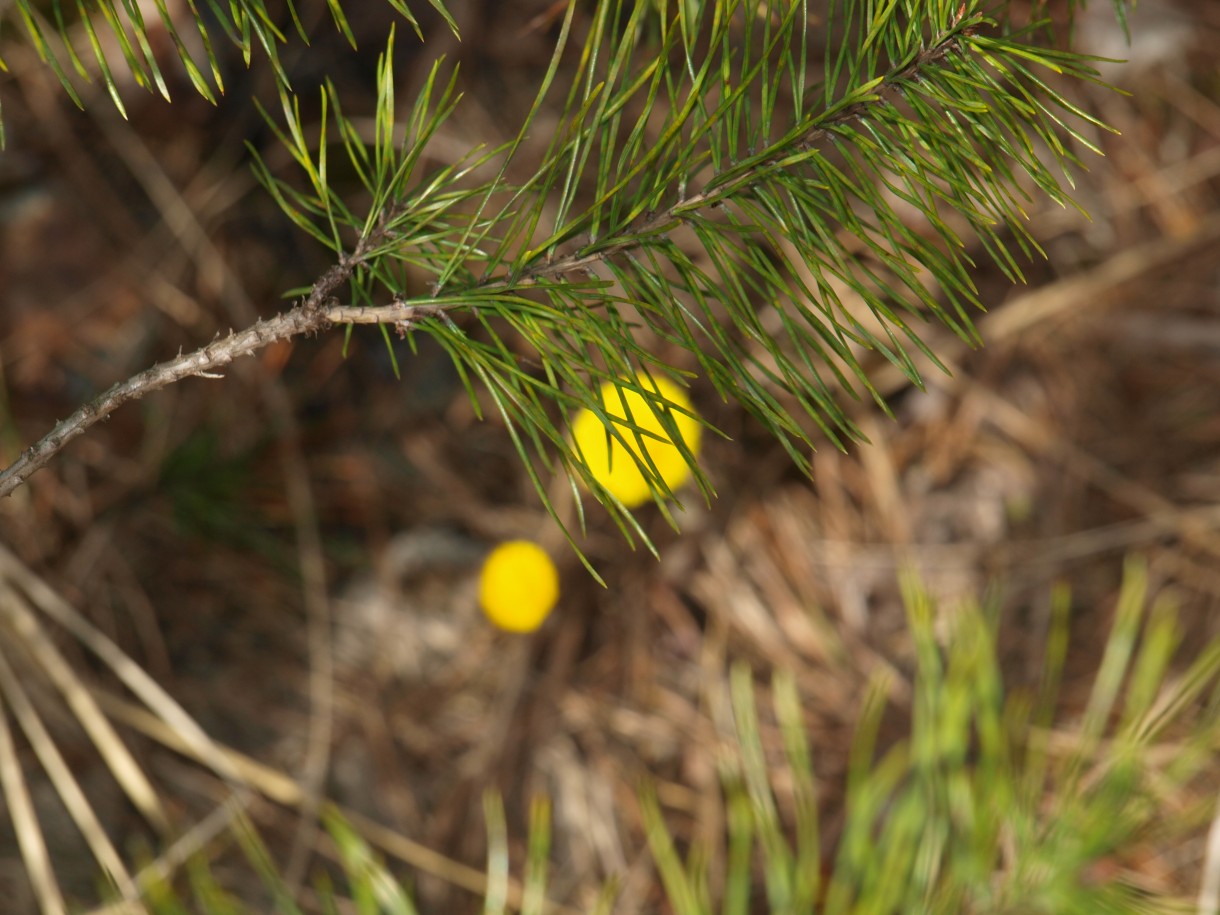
<point x="68" y="788"/>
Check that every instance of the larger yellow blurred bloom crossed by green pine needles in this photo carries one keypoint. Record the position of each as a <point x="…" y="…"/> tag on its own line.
<point x="613" y="465"/>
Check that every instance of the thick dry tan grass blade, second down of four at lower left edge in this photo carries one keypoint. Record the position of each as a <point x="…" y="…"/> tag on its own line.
<point x="24" y="625"/>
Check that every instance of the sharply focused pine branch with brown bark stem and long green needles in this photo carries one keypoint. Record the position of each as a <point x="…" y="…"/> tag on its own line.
<point x="758" y="276"/>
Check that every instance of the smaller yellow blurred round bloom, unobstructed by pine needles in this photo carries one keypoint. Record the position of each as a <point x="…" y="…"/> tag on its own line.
<point x="519" y="586"/>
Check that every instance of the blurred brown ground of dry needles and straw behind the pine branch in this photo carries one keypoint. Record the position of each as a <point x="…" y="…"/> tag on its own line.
<point x="204" y="528"/>
